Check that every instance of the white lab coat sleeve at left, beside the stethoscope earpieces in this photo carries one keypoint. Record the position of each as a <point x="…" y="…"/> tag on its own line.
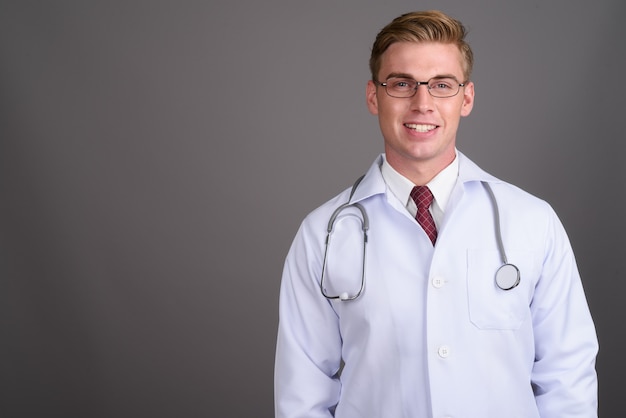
<point x="308" y="351"/>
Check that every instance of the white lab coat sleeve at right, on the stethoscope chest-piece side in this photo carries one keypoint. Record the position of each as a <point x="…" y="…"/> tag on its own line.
<point x="563" y="377"/>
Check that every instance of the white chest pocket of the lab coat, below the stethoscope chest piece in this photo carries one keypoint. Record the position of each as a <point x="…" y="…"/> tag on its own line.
<point x="489" y="306"/>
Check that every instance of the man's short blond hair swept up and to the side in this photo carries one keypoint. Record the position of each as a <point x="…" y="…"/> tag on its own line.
<point x="425" y="26"/>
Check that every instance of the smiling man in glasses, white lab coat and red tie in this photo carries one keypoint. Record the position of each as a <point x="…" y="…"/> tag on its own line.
<point x="419" y="324"/>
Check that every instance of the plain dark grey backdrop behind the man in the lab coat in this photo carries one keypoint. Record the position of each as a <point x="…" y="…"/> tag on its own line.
<point x="157" y="157"/>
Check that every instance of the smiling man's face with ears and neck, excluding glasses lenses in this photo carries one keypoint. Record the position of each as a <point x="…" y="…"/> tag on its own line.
<point x="420" y="131"/>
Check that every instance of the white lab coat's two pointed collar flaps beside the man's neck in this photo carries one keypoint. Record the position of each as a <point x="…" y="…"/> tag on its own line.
<point x="373" y="182"/>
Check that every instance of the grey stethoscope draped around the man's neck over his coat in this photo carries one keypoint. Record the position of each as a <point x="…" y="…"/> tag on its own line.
<point x="507" y="276"/>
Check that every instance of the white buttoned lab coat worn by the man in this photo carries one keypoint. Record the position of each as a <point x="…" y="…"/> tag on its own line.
<point x="432" y="335"/>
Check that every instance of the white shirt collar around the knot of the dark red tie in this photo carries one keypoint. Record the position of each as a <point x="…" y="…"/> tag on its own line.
<point x="441" y="185"/>
